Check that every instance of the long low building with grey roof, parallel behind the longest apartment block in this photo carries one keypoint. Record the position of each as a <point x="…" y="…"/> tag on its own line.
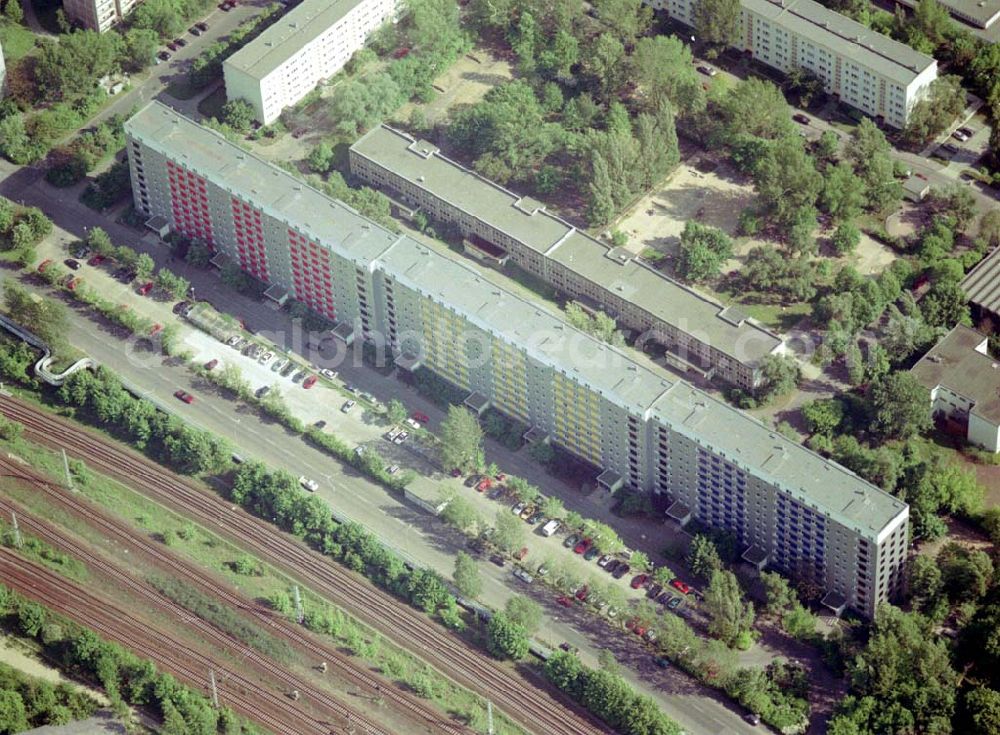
<point x="498" y="225"/>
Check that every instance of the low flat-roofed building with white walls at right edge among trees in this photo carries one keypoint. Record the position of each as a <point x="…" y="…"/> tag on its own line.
<point x="964" y="381"/>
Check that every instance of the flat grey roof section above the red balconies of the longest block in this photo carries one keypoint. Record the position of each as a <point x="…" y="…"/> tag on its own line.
<point x="253" y="179"/>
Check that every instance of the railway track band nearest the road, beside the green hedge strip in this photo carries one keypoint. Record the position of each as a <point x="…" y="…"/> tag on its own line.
<point x="530" y="706"/>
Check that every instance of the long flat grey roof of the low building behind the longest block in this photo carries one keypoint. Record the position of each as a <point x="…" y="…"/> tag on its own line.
<point x="526" y="220"/>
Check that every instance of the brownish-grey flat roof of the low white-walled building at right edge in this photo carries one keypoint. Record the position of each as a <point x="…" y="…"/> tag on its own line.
<point x="956" y="363"/>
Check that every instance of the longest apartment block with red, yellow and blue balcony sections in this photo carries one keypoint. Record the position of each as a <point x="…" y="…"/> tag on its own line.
<point x="790" y="508"/>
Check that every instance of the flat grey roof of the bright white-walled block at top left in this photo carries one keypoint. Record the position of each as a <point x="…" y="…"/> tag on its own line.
<point x="289" y="35"/>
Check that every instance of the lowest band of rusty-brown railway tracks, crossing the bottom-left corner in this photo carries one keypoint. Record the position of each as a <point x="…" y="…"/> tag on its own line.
<point x="277" y="713"/>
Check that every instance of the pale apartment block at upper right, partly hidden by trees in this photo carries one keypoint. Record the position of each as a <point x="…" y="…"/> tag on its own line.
<point x="872" y="72"/>
